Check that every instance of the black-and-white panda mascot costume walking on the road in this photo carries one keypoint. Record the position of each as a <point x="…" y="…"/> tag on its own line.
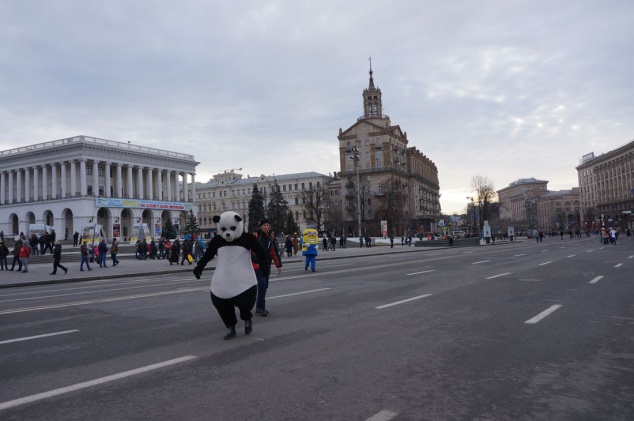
<point x="233" y="283"/>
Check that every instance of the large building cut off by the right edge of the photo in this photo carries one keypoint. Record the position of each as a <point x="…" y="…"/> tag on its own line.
<point x="606" y="185"/>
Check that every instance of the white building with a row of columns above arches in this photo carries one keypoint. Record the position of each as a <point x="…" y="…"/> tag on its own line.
<point x="81" y="181"/>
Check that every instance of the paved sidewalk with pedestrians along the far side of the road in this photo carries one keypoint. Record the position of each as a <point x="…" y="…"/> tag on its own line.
<point x="39" y="273"/>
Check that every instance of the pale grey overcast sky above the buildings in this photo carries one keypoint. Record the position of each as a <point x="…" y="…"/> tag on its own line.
<point x="502" y="89"/>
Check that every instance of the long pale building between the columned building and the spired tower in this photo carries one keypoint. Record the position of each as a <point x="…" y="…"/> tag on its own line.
<point x="230" y="191"/>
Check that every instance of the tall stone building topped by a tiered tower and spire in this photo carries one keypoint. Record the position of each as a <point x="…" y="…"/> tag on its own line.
<point x="383" y="178"/>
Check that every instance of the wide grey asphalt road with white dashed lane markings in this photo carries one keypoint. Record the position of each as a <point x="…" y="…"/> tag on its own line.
<point x="523" y="331"/>
